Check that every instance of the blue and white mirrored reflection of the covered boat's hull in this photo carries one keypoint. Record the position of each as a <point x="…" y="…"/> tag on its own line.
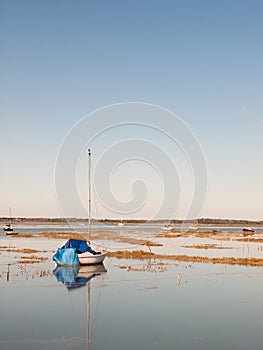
<point x="74" y="277"/>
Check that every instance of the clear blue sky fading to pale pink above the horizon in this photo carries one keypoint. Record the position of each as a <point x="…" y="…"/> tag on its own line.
<point x="63" y="61"/>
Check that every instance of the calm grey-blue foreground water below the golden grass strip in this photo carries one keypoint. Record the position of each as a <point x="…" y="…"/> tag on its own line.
<point x="133" y="305"/>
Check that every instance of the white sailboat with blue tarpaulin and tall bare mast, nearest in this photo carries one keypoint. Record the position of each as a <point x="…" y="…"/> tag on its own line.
<point x="76" y="251"/>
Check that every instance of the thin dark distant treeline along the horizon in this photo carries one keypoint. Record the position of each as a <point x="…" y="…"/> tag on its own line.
<point x="202" y="221"/>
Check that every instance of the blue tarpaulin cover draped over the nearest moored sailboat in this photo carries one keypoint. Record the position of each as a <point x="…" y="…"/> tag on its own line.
<point x="68" y="254"/>
